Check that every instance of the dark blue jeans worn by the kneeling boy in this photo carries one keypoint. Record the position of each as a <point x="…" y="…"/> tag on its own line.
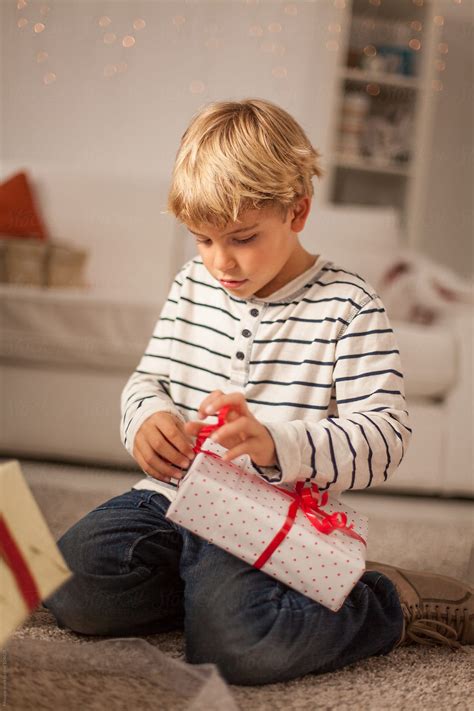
<point x="136" y="572"/>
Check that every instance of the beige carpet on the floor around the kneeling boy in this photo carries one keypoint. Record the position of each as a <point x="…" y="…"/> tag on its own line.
<point x="412" y="532"/>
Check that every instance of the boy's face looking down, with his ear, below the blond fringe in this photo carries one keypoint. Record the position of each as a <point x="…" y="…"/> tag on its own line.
<point x="258" y="254"/>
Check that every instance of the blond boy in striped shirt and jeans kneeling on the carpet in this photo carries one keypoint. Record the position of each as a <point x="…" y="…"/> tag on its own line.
<point x="303" y="352"/>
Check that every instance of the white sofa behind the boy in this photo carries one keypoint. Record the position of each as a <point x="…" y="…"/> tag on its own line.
<point x="65" y="355"/>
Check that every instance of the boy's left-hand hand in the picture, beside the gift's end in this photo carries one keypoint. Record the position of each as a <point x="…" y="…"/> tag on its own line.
<point x="161" y="445"/>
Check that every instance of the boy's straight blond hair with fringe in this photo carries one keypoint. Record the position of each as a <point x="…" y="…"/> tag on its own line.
<point x="239" y="155"/>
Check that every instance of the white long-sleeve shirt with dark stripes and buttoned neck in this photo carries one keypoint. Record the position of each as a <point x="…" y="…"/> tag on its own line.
<point x="317" y="361"/>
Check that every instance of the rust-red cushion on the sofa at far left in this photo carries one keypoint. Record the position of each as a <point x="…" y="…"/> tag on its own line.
<point x="19" y="216"/>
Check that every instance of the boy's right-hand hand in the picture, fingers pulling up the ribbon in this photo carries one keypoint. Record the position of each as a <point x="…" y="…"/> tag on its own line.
<point x="243" y="433"/>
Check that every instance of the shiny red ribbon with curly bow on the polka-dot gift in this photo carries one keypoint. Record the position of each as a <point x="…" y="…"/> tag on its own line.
<point x="308" y="499"/>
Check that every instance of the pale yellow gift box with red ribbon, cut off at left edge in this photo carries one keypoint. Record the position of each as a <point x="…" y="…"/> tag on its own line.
<point x="31" y="565"/>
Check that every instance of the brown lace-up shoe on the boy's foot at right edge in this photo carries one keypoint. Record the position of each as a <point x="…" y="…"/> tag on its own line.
<point x="436" y="609"/>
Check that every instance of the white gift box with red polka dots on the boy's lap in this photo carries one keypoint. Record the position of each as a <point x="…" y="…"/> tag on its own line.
<point x="312" y="543"/>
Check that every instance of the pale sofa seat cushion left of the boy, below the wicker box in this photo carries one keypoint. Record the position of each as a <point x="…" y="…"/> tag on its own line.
<point x="72" y="328"/>
